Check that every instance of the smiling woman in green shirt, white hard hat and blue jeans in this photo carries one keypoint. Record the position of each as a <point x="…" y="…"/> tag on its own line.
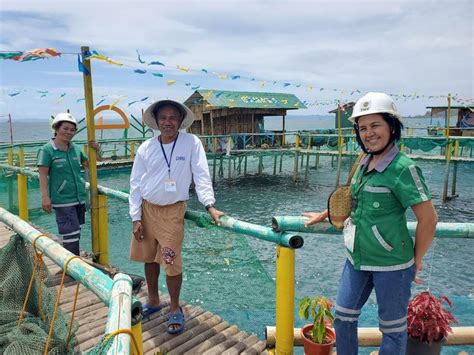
<point x="381" y="255"/>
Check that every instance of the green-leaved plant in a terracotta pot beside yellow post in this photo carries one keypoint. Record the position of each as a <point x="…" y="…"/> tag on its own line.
<point x="318" y="337"/>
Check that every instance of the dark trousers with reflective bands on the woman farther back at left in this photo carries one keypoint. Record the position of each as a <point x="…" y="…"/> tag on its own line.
<point x="69" y="220"/>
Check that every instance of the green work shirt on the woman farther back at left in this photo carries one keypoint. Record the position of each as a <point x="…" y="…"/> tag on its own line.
<point x="65" y="183"/>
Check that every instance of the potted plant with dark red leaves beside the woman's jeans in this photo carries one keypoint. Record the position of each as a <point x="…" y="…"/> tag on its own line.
<point x="428" y="323"/>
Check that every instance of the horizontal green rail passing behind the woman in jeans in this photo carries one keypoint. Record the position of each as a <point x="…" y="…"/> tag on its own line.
<point x="296" y="223"/>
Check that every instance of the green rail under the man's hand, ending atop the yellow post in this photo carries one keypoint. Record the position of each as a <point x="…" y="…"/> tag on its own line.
<point x="288" y="240"/>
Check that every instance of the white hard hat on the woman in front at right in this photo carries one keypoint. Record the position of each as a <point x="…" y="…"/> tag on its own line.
<point x="374" y="102"/>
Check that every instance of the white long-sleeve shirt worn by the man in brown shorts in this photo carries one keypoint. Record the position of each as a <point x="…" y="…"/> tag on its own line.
<point x="149" y="172"/>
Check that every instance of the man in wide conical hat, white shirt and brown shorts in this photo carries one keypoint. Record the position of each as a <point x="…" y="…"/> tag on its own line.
<point x="162" y="173"/>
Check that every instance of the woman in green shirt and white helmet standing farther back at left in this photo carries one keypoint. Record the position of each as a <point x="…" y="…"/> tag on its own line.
<point x="62" y="186"/>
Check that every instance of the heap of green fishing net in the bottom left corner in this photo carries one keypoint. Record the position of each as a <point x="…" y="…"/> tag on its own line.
<point x="16" y="266"/>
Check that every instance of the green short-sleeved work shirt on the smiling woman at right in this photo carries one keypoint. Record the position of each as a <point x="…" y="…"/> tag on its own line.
<point x="382" y="241"/>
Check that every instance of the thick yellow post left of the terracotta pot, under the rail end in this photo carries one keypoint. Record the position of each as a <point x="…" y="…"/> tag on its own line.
<point x="285" y="300"/>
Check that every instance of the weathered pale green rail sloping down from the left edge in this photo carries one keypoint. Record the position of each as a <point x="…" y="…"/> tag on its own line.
<point x="90" y="277"/>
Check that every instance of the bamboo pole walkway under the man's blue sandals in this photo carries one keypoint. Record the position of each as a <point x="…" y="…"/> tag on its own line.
<point x="206" y="333"/>
